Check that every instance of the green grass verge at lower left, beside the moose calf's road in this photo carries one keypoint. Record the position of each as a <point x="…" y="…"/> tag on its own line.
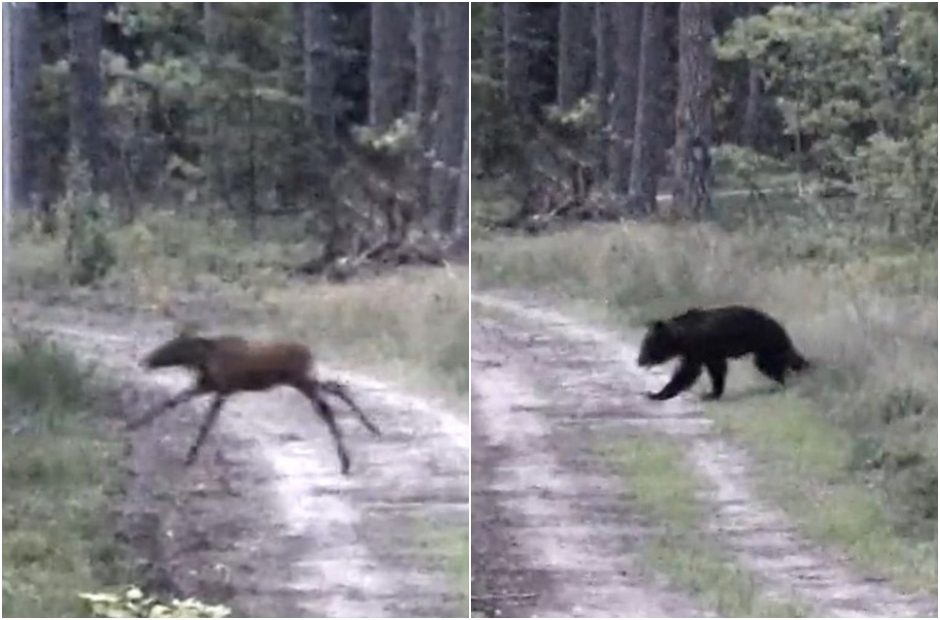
<point x="60" y="466"/>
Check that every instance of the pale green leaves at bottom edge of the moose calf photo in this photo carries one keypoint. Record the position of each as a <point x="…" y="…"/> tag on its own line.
<point x="131" y="603"/>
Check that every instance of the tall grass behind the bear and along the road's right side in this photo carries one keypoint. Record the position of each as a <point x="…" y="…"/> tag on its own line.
<point x="859" y="435"/>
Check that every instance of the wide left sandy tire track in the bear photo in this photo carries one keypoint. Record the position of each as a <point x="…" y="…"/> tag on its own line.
<point x="552" y="535"/>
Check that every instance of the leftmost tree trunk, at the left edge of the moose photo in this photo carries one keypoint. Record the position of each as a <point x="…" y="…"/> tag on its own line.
<point x="24" y="76"/>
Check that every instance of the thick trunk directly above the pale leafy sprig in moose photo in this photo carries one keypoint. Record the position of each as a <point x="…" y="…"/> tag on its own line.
<point x="386" y="71"/>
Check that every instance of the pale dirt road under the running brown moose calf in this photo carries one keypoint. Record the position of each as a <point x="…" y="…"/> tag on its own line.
<point x="264" y="521"/>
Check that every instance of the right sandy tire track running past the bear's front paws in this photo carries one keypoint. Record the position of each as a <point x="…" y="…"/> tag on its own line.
<point x="596" y="375"/>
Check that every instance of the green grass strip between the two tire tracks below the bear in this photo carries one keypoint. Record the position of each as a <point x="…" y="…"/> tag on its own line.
<point x="664" y="490"/>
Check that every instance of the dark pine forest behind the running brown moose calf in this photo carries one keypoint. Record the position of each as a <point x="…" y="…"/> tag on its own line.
<point x="348" y="120"/>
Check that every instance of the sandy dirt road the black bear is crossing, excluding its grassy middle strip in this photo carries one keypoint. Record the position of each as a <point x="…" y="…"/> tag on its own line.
<point x="545" y="388"/>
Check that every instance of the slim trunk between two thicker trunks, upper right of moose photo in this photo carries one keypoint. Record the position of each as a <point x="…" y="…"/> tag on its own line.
<point x="427" y="49"/>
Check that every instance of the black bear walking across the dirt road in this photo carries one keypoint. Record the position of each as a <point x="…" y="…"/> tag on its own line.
<point x="709" y="337"/>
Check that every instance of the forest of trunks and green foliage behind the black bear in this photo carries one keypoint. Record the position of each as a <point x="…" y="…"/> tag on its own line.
<point x="592" y="109"/>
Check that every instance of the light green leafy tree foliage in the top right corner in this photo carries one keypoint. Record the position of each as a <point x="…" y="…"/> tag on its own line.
<point x="858" y="84"/>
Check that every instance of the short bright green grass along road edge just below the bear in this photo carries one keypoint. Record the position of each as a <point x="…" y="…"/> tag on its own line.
<point x="803" y="464"/>
